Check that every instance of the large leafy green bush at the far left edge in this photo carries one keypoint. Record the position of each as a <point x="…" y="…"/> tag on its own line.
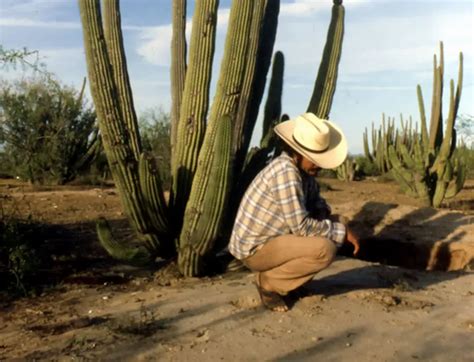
<point x="47" y="130"/>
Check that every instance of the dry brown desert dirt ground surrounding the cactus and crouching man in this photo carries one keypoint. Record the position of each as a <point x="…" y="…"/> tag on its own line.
<point x="362" y="310"/>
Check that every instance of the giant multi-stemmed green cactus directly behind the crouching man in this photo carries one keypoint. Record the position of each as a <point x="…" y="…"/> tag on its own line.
<point x="207" y="155"/>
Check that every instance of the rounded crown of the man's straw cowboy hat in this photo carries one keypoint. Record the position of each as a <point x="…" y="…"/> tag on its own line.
<point x="311" y="132"/>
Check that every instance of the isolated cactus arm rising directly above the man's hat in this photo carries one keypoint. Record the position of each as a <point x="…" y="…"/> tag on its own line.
<point x="325" y="85"/>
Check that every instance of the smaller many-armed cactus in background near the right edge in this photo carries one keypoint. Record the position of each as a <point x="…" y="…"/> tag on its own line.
<point x="430" y="170"/>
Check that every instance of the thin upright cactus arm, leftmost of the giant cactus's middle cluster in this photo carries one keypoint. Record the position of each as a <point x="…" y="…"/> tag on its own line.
<point x="178" y="65"/>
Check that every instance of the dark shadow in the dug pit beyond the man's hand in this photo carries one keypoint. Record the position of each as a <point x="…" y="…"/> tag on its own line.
<point x="413" y="241"/>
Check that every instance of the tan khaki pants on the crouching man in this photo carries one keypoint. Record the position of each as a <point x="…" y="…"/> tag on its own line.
<point x="286" y="262"/>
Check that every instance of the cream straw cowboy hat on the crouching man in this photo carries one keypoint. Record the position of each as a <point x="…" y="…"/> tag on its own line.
<point x="319" y="140"/>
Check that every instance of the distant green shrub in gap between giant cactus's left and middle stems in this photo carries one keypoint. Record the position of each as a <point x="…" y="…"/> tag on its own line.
<point x="155" y="129"/>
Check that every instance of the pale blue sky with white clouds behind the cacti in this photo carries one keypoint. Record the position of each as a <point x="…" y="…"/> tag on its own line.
<point x="388" y="49"/>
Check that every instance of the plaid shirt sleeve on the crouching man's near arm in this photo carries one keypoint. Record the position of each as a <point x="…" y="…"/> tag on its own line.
<point x="288" y="193"/>
